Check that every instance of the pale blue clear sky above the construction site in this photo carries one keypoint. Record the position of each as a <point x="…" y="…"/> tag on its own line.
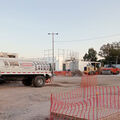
<point x="80" y="24"/>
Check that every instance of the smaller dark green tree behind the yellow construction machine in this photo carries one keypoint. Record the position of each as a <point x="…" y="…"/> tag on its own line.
<point x="91" y="55"/>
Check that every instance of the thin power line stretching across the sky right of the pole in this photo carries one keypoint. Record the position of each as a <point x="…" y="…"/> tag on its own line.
<point x="95" y="38"/>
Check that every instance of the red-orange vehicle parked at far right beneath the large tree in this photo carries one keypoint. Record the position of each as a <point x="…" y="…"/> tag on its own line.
<point x="109" y="69"/>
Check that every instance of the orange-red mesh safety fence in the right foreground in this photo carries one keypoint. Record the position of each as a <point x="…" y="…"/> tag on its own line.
<point x="89" y="102"/>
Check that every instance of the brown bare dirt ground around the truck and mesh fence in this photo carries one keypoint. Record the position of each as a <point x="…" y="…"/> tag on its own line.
<point x="18" y="102"/>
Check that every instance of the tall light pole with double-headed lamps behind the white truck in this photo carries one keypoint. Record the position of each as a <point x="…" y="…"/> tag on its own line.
<point x="52" y="50"/>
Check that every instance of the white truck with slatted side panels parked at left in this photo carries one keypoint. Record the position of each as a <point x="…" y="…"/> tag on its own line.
<point x="31" y="71"/>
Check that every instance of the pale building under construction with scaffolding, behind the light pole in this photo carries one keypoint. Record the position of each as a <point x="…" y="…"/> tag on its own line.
<point x="65" y="60"/>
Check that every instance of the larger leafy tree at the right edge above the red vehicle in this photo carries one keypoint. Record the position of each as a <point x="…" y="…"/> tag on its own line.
<point x="110" y="53"/>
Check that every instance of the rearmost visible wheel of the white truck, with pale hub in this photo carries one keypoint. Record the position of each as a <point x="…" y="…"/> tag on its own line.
<point x="39" y="81"/>
